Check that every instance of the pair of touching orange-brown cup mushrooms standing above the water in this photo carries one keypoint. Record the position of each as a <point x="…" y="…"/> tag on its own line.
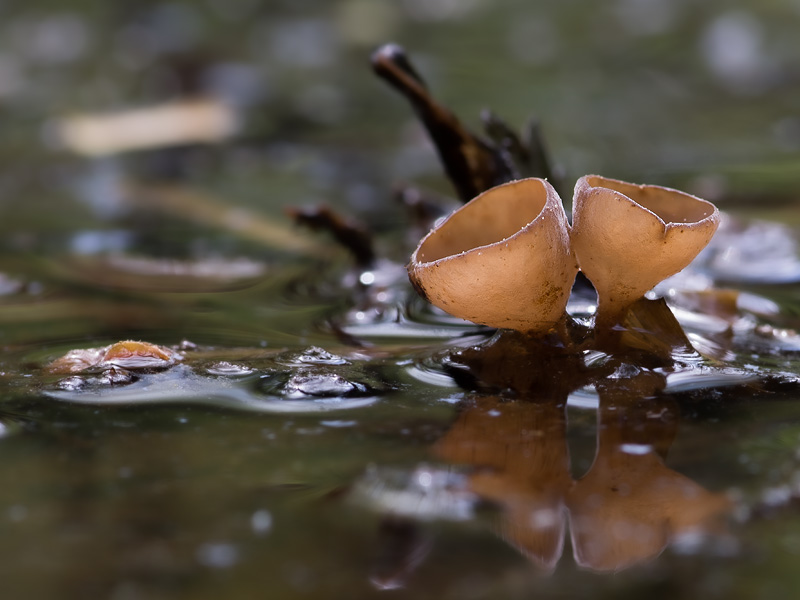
<point x="509" y="257"/>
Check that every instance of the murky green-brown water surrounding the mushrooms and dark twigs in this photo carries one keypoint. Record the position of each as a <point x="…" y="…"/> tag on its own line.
<point x="317" y="430"/>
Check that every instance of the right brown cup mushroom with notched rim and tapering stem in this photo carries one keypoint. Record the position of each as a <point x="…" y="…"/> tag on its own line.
<point x="629" y="237"/>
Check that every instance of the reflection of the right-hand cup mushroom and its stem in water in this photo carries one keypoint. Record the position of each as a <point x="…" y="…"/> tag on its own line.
<point x="630" y="505"/>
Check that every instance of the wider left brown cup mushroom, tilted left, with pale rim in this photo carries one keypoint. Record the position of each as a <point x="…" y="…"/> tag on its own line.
<point x="502" y="260"/>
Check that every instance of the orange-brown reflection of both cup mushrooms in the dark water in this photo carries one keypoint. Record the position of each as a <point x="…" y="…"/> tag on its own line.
<point x="625" y="510"/>
